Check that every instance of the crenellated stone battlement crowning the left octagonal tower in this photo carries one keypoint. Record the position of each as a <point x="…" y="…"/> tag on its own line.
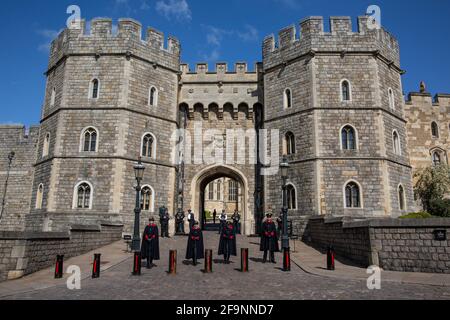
<point x="103" y="38"/>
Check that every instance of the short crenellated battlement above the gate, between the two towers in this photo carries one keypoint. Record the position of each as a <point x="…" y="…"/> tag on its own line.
<point x="220" y="68"/>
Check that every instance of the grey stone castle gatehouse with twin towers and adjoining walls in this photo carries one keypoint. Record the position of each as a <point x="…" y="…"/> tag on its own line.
<point x="335" y="97"/>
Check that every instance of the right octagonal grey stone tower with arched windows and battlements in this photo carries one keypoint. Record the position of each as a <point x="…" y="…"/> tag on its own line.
<point x="337" y="99"/>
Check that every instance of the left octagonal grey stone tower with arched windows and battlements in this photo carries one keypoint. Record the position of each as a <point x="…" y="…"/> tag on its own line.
<point x="111" y="98"/>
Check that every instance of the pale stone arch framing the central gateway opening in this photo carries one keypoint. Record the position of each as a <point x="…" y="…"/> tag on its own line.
<point x="200" y="182"/>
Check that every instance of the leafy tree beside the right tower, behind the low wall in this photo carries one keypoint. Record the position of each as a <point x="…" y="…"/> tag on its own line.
<point x="432" y="184"/>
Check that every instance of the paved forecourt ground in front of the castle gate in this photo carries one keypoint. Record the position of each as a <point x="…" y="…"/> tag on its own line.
<point x="265" y="281"/>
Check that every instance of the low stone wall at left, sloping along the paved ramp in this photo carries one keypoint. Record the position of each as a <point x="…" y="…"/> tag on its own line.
<point x="23" y="253"/>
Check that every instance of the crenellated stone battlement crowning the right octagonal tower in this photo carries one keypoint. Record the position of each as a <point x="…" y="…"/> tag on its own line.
<point x="312" y="38"/>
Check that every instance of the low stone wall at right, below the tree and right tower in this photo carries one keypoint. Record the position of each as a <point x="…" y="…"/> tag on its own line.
<point x="393" y="244"/>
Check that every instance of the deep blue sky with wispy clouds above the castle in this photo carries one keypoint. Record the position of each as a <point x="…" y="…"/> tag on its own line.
<point x="210" y="31"/>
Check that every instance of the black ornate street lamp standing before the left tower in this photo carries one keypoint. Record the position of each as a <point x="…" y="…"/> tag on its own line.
<point x="136" y="243"/>
